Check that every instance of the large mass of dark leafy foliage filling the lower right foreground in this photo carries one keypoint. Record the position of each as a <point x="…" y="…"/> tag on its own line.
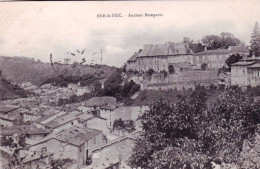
<point x="190" y="133"/>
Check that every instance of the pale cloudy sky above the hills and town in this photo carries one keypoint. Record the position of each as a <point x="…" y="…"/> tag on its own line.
<point x="38" y="29"/>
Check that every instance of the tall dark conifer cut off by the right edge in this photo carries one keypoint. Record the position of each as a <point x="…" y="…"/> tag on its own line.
<point x="255" y="41"/>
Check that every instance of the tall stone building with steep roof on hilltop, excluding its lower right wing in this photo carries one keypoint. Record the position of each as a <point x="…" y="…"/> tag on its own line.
<point x="160" y="57"/>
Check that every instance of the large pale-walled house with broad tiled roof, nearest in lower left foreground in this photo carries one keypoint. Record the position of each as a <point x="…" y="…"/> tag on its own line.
<point x="75" y="143"/>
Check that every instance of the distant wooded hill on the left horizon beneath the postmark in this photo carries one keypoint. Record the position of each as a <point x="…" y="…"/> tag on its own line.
<point x="22" y="69"/>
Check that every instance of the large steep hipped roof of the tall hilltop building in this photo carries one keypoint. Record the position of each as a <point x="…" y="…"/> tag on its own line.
<point x="167" y="49"/>
